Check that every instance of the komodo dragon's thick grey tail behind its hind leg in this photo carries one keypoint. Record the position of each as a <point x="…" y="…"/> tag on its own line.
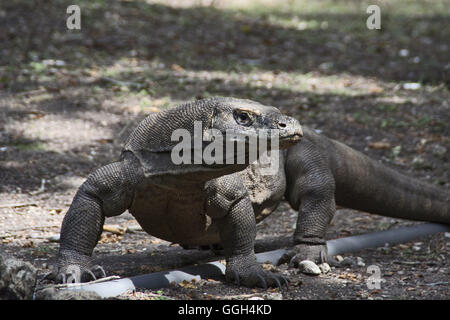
<point x="367" y="185"/>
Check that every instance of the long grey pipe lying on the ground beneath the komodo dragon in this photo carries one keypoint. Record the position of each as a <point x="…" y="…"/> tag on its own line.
<point x="216" y="269"/>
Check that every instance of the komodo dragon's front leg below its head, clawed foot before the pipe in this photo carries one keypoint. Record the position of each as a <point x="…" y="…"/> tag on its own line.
<point x="231" y="209"/>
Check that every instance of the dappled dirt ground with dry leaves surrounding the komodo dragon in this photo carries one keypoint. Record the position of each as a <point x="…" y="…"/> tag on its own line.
<point x="68" y="99"/>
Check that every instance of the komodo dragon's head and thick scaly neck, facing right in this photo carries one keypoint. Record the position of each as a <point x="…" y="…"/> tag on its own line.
<point x="195" y="137"/>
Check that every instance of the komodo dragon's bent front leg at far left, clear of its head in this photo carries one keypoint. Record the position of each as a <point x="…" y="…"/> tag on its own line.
<point x="107" y="192"/>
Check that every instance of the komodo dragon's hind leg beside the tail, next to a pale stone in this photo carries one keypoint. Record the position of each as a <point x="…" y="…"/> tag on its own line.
<point x="311" y="190"/>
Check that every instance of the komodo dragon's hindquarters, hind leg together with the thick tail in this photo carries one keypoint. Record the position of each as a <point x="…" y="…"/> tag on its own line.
<point x="322" y="172"/>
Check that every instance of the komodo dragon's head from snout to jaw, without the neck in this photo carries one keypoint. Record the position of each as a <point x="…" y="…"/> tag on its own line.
<point x="248" y="129"/>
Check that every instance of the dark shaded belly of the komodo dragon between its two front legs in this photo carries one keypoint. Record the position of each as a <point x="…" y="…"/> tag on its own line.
<point x="174" y="216"/>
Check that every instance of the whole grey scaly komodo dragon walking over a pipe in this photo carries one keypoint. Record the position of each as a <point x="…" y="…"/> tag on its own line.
<point x="201" y="204"/>
